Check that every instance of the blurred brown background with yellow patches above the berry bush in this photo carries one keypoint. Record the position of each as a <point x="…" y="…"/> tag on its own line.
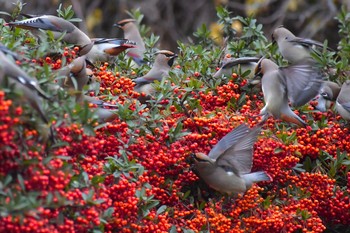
<point x="175" y="20"/>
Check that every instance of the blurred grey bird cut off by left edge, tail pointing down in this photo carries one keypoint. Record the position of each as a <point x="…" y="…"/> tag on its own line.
<point x="27" y="86"/>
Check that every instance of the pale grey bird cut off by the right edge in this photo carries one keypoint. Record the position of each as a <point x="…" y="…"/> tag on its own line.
<point x="343" y="101"/>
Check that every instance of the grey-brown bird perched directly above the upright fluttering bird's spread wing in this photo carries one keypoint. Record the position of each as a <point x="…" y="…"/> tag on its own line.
<point x="293" y="49"/>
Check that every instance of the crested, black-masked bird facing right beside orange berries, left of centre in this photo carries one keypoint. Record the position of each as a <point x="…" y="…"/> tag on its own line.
<point x="160" y="69"/>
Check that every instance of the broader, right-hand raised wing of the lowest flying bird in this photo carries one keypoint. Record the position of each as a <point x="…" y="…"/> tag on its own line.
<point x="239" y="156"/>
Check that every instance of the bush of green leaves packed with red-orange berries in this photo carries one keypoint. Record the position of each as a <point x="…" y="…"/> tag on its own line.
<point x="134" y="174"/>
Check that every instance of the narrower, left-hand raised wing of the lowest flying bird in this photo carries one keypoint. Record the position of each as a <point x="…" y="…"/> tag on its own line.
<point x="228" y="140"/>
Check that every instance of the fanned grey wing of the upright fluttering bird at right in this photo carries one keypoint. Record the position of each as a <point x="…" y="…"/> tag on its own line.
<point x="303" y="82"/>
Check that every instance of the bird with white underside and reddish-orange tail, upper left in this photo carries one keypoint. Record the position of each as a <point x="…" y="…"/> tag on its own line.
<point x="104" y="50"/>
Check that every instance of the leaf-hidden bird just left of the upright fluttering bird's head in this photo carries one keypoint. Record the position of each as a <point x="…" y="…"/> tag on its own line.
<point x="241" y="65"/>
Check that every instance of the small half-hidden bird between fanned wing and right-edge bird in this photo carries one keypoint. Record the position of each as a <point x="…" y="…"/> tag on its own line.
<point x="328" y="93"/>
